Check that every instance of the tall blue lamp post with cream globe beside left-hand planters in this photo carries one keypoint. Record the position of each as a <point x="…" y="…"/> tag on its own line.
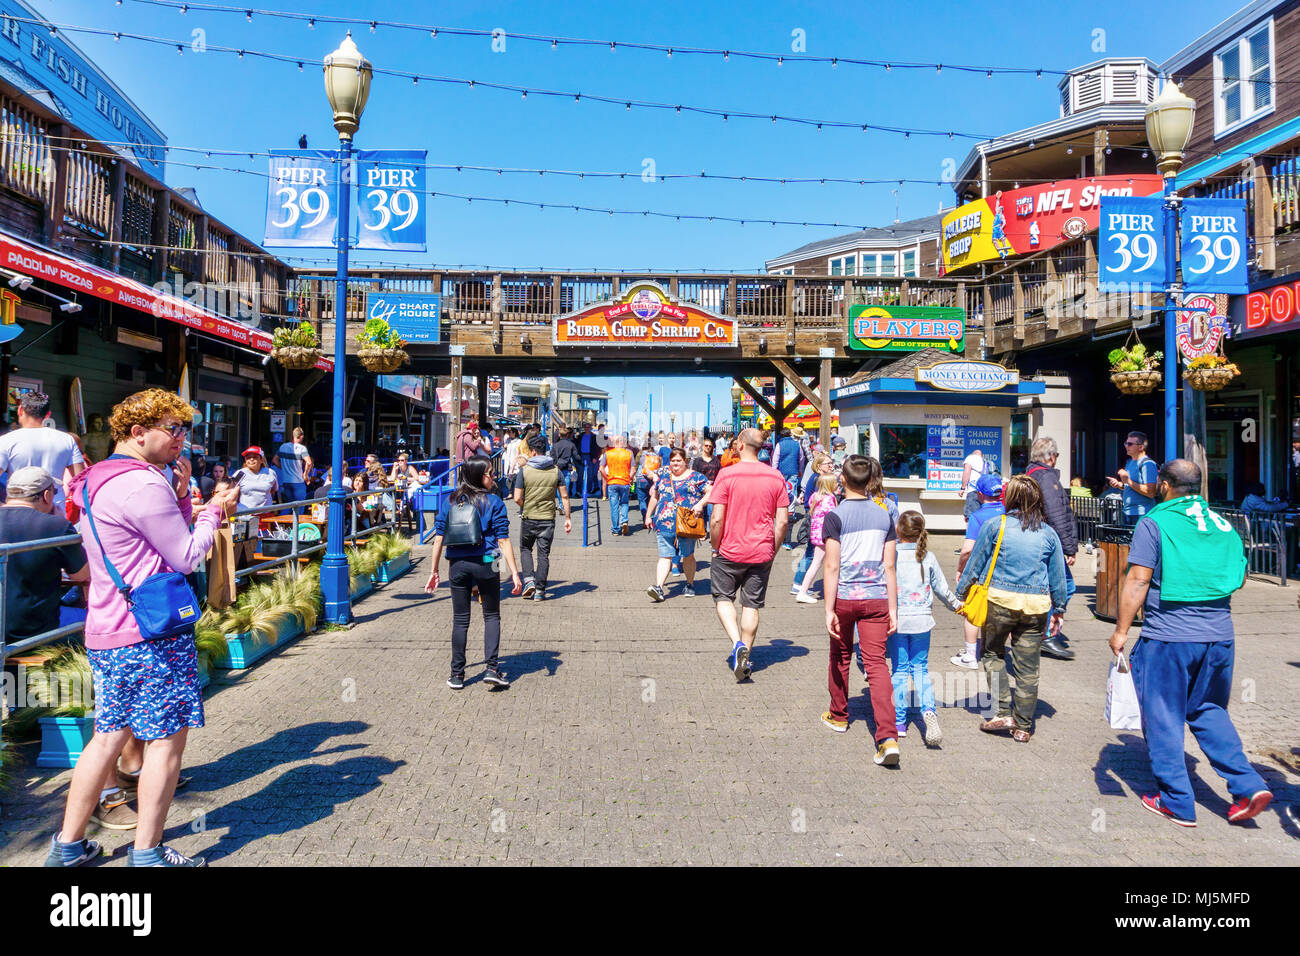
<point x="348" y="85"/>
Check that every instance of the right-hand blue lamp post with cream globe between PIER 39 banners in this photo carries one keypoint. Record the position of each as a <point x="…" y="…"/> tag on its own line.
<point x="1169" y="127"/>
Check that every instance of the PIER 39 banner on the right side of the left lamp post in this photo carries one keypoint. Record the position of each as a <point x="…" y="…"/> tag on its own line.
<point x="391" y="200"/>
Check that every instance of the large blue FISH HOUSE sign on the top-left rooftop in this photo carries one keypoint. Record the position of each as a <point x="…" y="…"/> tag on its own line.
<point x="40" y="59"/>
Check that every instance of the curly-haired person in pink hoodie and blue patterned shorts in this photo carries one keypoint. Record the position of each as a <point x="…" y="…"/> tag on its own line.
<point x="148" y="690"/>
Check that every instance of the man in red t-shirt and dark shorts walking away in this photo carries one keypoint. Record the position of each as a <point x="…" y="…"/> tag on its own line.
<point x="752" y="512"/>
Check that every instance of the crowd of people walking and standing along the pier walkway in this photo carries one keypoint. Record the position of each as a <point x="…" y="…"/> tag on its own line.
<point x="144" y="527"/>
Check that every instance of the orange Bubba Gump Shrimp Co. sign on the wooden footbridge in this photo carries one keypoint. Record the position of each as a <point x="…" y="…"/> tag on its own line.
<point x="645" y="315"/>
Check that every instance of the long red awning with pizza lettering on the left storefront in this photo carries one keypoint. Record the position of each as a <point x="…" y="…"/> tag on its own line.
<point x="41" y="263"/>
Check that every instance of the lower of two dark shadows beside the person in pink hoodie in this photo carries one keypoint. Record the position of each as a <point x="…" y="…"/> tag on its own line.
<point x="296" y="799"/>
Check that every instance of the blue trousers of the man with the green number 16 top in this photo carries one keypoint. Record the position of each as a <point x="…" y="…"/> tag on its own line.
<point x="1185" y="682"/>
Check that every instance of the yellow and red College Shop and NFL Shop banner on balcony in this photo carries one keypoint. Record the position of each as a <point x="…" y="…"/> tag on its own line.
<point x="1033" y="219"/>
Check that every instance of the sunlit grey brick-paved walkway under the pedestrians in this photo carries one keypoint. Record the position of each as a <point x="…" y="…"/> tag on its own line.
<point x="626" y="739"/>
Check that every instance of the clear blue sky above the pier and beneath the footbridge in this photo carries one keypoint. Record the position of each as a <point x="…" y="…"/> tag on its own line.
<point x="219" y="101"/>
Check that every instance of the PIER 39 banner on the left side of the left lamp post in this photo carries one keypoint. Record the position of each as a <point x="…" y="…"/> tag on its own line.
<point x="301" y="194"/>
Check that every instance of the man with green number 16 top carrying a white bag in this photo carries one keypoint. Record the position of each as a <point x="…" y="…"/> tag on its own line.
<point x="1184" y="566"/>
